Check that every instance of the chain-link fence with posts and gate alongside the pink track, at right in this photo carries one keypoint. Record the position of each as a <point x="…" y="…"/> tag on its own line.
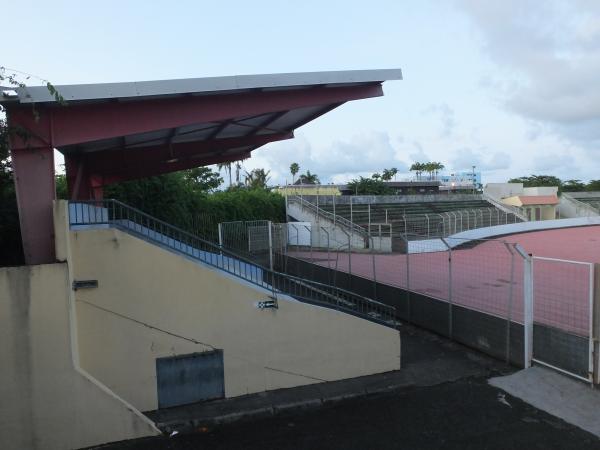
<point x="484" y="293"/>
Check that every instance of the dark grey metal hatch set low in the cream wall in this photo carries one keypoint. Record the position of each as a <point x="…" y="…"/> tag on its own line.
<point x="190" y="378"/>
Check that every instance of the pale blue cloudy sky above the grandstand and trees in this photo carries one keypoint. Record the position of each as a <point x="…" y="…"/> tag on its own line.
<point x="510" y="86"/>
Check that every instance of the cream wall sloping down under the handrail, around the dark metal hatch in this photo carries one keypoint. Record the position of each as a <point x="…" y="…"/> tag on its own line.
<point x="152" y="303"/>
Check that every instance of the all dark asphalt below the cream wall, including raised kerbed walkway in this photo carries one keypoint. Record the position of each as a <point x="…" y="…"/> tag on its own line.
<point x="440" y="399"/>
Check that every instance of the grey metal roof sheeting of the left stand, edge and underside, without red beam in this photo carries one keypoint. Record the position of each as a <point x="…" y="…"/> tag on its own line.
<point x="272" y="123"/>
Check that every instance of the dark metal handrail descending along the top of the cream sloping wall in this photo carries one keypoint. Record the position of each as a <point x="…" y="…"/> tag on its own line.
<point x="134" y="221"/>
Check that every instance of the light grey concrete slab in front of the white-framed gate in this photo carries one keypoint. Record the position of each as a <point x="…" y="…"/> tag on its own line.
<point x="573" y="401"/>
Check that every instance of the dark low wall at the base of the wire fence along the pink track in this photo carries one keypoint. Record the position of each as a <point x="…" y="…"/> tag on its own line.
<point x="490" y="334"/>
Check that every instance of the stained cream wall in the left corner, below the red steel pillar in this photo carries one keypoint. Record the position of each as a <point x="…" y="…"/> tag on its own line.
<point x="46" y="400"/>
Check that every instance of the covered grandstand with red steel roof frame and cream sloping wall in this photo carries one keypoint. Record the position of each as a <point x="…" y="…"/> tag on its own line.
<point x="138" y="314"/>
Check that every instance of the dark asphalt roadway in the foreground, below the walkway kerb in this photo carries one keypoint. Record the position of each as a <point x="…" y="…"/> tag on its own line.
<point x="465" y="414"/>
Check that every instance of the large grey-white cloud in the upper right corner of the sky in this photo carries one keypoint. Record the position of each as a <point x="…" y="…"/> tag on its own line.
<point x="548" y="57"/>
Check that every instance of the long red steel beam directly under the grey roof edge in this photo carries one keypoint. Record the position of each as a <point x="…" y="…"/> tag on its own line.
<point x="79" y="123"/>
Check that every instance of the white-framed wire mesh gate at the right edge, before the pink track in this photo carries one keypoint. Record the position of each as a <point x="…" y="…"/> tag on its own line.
<point x="563" y="296"/>
